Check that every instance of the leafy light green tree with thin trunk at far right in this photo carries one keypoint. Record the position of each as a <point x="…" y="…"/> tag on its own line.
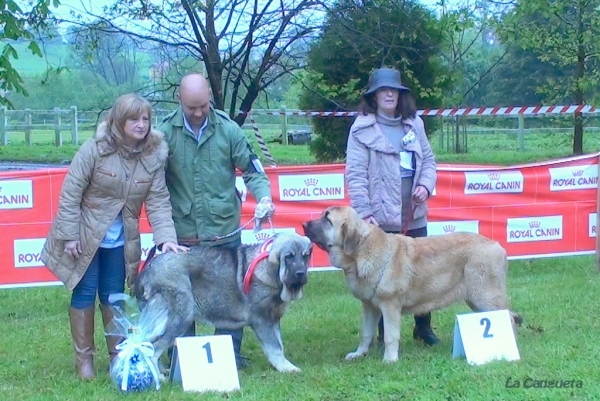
<point x="563" y="33"/>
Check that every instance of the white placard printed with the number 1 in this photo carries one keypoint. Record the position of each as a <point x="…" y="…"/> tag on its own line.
<point x="205" y="363"/>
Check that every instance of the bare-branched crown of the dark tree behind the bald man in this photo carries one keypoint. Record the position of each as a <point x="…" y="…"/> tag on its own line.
<point x="245" y="45"/>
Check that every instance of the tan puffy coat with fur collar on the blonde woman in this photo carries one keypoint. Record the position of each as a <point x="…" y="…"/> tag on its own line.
<point x="101" y="182"/>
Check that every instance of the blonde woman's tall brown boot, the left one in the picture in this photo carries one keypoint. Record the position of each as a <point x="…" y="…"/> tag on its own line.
<point x="82" y="331"/>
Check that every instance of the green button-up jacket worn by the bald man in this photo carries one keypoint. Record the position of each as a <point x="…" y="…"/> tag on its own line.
<point x="201" y="176"/>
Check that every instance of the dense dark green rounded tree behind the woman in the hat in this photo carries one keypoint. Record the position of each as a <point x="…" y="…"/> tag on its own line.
<point x="357" y="38"/>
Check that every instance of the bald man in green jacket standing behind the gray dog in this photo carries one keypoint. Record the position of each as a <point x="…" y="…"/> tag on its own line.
<point x="205" y="149"/>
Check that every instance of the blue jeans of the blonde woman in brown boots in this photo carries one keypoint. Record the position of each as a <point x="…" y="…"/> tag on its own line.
<point x="105" y="275"/>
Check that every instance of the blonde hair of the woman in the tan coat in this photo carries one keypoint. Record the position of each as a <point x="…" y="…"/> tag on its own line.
<point x="130" y="105"/>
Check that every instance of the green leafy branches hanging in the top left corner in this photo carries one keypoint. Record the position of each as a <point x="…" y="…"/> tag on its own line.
<point x="15" y="24"/>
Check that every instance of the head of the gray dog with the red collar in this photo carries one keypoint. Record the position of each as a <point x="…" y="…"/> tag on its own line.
<point x="291" y="252"/>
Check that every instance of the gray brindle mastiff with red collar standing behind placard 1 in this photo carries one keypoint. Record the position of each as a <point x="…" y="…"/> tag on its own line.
<point x="207" y="285"/>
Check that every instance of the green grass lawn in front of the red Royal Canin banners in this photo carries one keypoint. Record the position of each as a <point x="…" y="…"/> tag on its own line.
<point x="558" y="341"/>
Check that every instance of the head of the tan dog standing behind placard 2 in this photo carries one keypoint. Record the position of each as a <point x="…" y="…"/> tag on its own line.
<point x="339" y="229"/>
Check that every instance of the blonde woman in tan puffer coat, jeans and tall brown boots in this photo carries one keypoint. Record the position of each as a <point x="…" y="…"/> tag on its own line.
<point x="94" y="242"/>
